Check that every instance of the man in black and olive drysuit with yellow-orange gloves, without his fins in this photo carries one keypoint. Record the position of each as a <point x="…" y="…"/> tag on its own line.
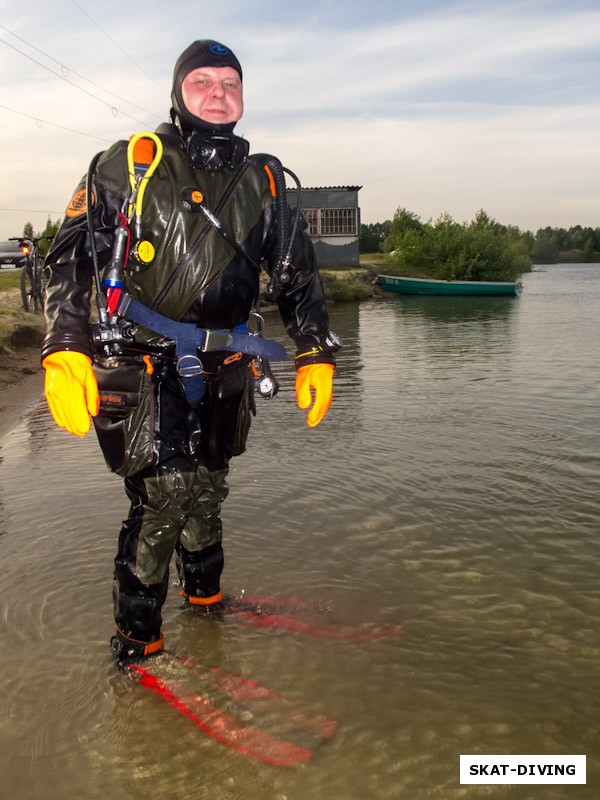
<point x="169" y="420"/>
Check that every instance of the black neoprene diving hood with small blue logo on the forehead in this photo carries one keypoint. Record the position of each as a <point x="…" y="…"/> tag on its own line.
<point x="203" y="53"/>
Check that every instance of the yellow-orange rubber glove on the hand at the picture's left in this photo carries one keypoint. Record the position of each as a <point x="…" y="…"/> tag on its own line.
<point x="71" y="390"/>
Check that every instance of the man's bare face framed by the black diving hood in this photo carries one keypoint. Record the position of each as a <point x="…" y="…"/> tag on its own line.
<point x="214" y="94"/>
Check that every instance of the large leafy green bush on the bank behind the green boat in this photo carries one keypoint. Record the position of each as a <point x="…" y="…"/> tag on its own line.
<point x="482" y="250"/>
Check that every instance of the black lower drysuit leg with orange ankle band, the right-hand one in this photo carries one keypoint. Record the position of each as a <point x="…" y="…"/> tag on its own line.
<point x="200" y="573"/>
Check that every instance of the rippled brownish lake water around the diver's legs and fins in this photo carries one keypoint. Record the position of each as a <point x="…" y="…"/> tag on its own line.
<point x="453" y="489"/>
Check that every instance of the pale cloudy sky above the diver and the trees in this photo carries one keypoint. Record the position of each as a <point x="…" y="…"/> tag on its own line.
<point x="435" y="106"/>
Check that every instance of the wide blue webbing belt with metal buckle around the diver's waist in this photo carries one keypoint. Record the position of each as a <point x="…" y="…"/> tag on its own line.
<point x="189" y="339"/>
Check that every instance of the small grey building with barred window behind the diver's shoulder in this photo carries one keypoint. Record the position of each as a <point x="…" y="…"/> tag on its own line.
<point x="333" y="218"/>
